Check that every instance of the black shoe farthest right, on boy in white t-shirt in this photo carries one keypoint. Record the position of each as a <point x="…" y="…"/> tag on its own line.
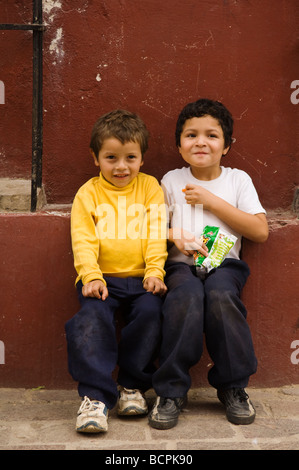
<point x="239" y="409"/>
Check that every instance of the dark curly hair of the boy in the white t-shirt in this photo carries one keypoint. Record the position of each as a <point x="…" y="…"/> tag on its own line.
<point x="204" y="107"/>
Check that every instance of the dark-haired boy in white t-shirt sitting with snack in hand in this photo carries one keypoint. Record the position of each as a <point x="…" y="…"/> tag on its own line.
<point x="206" y="193"/>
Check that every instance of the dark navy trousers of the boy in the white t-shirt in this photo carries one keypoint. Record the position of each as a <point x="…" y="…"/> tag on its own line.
<point x="211" y="307"/>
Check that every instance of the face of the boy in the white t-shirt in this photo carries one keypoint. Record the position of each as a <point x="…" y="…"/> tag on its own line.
<point x="202" y="145"/>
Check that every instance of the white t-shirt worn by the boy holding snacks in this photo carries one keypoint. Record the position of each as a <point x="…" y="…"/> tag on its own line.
<point x="233" y="185"/>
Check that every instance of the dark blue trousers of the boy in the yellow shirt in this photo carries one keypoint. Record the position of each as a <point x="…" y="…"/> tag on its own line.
<point x="93" y="349"/>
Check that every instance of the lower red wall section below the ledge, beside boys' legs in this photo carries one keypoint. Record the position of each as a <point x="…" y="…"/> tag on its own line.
<point x="38" y="297"/>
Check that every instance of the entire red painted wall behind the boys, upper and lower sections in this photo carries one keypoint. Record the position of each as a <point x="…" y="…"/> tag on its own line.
<point x="151" y="57"/>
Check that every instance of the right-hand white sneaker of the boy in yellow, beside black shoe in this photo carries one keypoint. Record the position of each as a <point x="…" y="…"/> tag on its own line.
<point x="131" y="402"/>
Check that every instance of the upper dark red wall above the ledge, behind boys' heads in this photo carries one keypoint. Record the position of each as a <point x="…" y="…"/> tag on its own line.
<point x="153" y="57"/>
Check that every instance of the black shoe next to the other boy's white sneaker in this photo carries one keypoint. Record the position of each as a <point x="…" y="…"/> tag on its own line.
<point x="165" y="413"/>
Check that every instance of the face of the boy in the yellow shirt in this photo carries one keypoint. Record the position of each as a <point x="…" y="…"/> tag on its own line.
<point x="119" y="163"/>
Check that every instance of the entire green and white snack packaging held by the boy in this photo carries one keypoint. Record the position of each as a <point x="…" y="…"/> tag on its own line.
<point x="221" y="245"/>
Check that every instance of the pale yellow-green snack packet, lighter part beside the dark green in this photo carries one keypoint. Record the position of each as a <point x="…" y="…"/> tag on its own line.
<point x="221" y="246"/>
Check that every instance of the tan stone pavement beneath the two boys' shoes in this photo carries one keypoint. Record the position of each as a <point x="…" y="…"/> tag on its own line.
<point x="41" y="419"/>
